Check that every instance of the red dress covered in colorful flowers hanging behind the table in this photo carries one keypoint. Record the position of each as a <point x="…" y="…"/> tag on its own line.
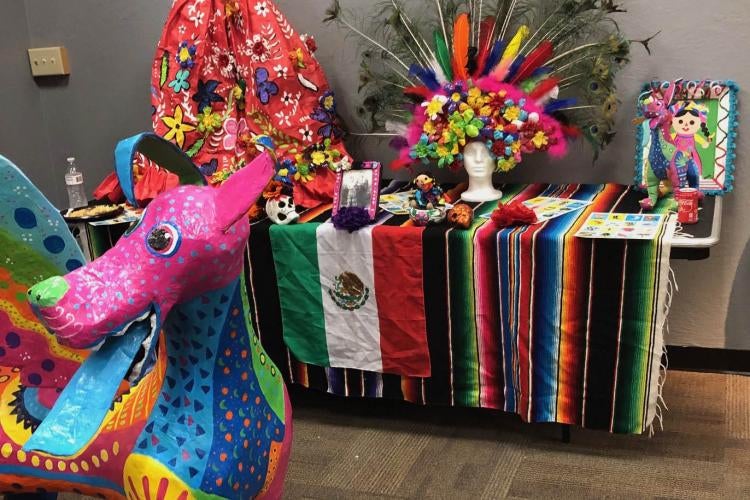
<point x="232" y="73"/>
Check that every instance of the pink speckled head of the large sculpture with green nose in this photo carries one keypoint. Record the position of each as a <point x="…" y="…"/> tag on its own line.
<point x="188" y="241"/>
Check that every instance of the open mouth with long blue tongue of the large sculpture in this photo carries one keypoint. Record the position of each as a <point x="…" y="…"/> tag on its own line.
<point x="126" y="354"/>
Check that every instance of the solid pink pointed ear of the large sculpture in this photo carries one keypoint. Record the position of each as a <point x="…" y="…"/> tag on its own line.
<point x="242" y="189"/>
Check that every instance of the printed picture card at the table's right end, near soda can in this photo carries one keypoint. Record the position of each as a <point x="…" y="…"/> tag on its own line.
<point x="621" y="226"/>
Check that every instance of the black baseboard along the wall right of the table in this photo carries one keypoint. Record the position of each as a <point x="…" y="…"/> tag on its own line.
<point x="708" y="359"/>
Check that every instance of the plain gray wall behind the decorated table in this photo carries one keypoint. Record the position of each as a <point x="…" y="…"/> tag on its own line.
<point x="111" y="45"/>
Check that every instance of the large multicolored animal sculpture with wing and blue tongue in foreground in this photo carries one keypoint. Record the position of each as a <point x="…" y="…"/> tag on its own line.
<point x="178" y="400"/>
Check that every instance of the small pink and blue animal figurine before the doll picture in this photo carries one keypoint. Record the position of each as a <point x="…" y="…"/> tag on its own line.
<point x="655" y="108"/>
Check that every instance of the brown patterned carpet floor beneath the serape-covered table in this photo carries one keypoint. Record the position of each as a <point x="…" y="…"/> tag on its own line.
<point x="367" y="449"/>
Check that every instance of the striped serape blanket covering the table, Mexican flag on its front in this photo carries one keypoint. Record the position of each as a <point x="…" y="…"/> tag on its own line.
<point x="529" y="319"/>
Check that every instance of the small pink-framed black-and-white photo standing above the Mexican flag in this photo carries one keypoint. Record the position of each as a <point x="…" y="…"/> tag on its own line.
<point x="358" y="187"/>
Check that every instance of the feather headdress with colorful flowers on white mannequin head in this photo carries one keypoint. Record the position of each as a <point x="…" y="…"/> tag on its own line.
<point x="520" y="75"/>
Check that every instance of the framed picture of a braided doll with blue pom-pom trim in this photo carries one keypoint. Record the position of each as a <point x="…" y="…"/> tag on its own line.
<point x="690" y="124"/>
